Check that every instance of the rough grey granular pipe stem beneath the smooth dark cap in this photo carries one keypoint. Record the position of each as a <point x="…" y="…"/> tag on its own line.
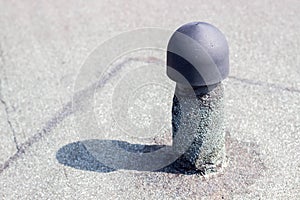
<point x="199" y="120"/>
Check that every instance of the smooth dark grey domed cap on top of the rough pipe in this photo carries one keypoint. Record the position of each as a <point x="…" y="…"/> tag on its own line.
<point x="198" y="55"/>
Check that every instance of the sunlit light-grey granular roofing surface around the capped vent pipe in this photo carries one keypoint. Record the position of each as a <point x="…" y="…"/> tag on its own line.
<point x="43" y="45"/>
